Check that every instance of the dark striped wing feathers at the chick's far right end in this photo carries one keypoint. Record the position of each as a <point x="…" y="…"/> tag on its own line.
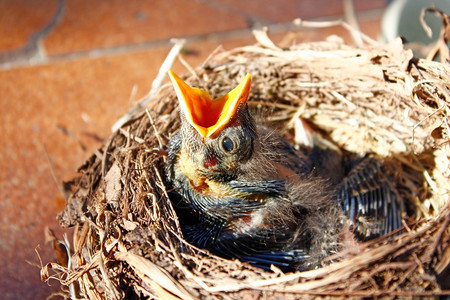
<point x="369" y="200"/>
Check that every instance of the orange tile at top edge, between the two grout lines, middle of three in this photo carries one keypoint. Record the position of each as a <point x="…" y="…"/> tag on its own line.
<point x="88" y="24"/>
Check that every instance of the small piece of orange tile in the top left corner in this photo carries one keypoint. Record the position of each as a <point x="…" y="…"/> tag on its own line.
<point x="21" y="19"/>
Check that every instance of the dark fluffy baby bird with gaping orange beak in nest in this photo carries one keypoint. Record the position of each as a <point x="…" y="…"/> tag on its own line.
<point x="242" y="191"/>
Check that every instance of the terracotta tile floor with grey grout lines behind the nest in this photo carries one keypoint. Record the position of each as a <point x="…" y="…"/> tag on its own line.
<point x="67" y="69"/>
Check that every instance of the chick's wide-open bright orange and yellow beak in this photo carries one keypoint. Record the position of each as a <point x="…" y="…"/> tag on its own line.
<point x="209" y="117"/>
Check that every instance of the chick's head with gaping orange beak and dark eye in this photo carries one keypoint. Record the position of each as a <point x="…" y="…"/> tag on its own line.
<point x="217" y="134"/>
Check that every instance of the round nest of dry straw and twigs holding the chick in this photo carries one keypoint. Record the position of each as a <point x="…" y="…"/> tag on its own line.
<point x="375" y="99"/>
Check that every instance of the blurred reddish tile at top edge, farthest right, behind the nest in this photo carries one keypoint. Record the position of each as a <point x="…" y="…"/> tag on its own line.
<point x="269" y="11"/>
